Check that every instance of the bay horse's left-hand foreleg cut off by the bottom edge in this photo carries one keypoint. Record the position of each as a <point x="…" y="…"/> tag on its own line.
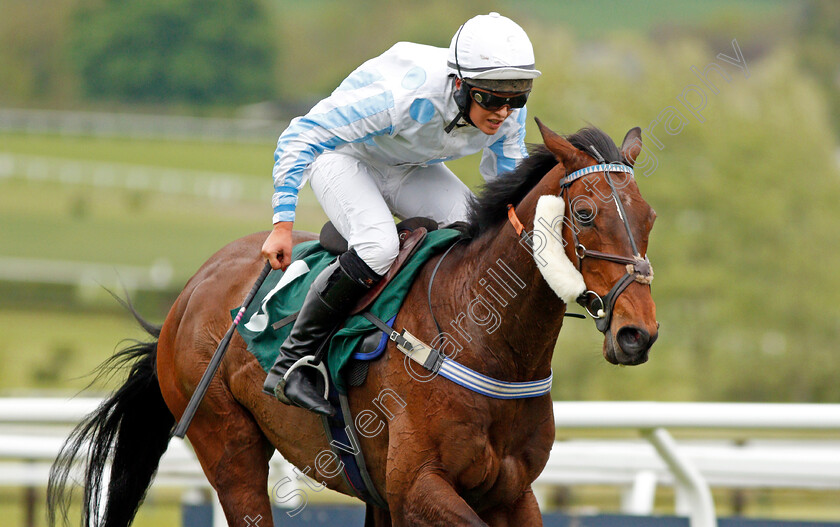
<point x="431" y="500"/>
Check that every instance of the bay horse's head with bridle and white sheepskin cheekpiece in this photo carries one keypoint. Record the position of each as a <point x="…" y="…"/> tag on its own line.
<point x="595" y="206"/>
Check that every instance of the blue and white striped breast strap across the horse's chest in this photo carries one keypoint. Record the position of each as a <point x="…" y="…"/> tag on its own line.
<point x="436" y="362"/>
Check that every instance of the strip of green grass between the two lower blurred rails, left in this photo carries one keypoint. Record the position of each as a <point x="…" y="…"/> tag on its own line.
<point x="119" y="226"/>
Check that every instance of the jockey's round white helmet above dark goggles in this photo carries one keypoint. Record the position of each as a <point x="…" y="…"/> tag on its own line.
<point x="491" y="47"/>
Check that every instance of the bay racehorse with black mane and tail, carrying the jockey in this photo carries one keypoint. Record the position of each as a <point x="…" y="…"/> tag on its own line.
<point x="444" y="455"/>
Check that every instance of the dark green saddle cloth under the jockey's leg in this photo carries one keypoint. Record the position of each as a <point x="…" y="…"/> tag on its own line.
<point x="272" y="304"/>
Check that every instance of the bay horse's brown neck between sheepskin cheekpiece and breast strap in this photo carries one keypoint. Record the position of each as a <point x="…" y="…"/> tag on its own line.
<point x="515" y="317"/>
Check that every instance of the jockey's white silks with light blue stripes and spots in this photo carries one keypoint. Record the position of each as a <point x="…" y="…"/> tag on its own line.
<point x="392" y="110"/>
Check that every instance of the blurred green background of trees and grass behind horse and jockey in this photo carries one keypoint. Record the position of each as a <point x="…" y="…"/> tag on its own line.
<point x="137" y="138"/>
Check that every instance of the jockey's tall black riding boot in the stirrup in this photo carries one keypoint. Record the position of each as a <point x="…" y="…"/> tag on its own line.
<point x="330" y="298"/>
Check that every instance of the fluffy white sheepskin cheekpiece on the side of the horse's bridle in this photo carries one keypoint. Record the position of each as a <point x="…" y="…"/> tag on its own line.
<point x="549" y="254"/>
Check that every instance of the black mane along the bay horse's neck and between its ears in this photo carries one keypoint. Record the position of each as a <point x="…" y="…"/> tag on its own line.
<point x="489" y="207"/>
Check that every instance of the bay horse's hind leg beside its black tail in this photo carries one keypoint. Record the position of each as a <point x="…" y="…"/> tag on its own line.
<point x="234" y="455"/>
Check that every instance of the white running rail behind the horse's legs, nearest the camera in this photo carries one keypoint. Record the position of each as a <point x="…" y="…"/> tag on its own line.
<point x="33" y="429"/>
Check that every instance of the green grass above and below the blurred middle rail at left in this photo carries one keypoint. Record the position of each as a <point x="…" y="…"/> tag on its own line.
<point x="132" y="227"/>
